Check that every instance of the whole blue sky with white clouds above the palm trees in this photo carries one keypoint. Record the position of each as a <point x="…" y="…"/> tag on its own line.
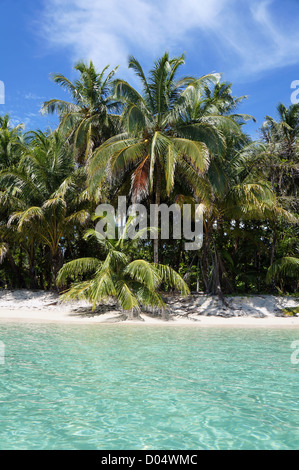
<point x="255" y="44"/>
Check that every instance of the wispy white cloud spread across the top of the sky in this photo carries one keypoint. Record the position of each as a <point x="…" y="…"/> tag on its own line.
<point x="249" y="35"/>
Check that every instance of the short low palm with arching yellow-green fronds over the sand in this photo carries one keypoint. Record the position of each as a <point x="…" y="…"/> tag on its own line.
<point x="134" y="283"/>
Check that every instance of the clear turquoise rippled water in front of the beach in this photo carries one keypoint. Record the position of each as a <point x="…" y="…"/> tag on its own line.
<point x="135" y="387"/>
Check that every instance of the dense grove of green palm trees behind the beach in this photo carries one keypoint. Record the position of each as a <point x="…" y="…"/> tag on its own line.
<point x="176" y="140"/>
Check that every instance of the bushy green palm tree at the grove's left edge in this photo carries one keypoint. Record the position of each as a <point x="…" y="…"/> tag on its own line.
<point x="45" y="191"/>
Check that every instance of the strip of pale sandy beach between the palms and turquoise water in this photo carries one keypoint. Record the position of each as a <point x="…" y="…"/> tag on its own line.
<point x="199" y="310"/>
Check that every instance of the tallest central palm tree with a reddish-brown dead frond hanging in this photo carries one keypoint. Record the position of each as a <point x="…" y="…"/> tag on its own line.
<point x="156" y="143"/>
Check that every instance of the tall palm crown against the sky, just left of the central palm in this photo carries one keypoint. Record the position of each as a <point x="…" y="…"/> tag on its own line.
<point x="88" y="119"/>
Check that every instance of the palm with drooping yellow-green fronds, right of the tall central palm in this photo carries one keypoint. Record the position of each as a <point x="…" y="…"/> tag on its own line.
<point x="238" y="195"/>
